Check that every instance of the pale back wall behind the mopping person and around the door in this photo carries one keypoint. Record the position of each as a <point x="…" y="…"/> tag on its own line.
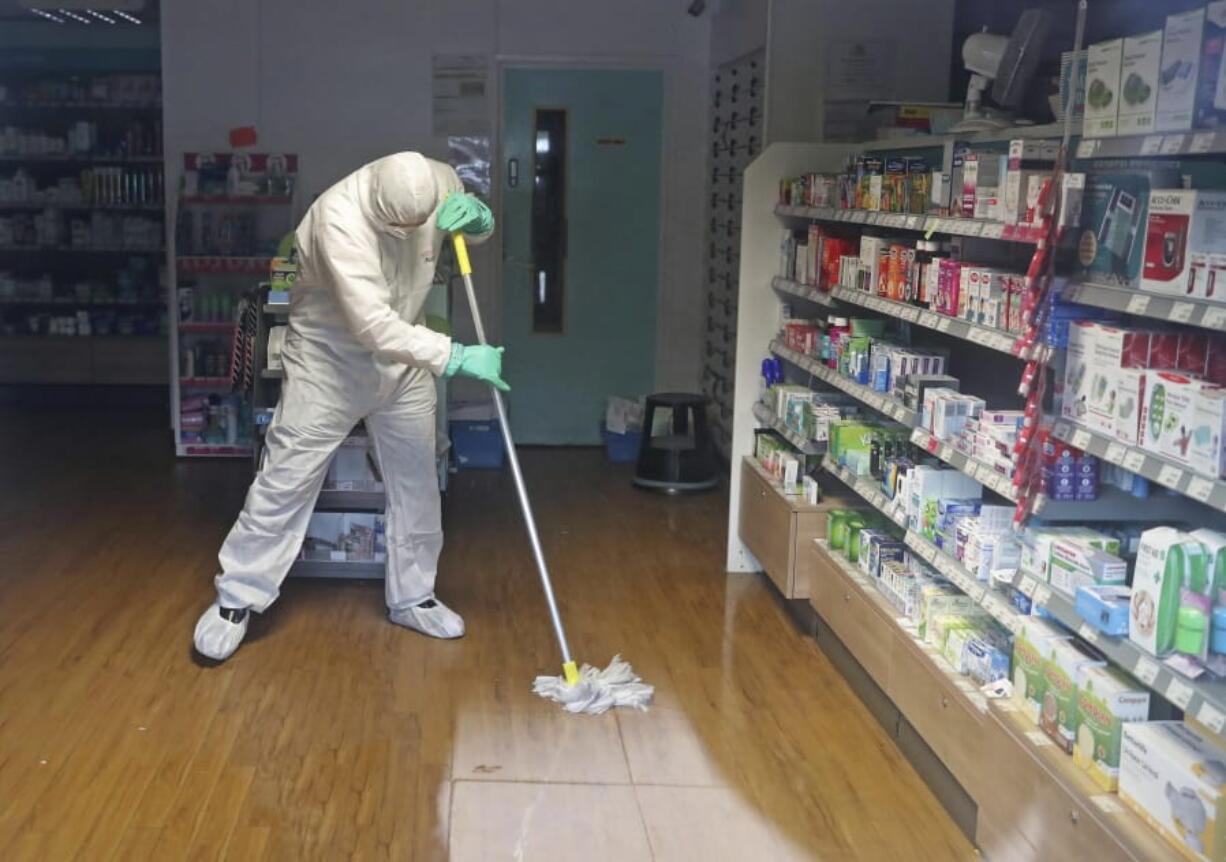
<point x="344" y="83"/>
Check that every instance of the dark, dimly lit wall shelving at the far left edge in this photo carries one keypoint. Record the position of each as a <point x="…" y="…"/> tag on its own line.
<point x="82" y="230"/>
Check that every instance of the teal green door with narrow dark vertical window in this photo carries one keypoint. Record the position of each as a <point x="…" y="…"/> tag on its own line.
<point x="581" y="246"/>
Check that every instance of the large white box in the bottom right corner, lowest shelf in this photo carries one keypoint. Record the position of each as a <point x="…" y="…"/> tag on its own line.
<point x="1175" y="778"/>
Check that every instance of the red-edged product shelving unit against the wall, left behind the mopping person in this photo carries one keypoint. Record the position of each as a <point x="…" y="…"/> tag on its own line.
<point x="231" y="216"/>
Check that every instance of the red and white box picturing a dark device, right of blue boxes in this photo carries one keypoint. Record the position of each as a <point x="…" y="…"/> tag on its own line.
<point x="1185" y="229"/>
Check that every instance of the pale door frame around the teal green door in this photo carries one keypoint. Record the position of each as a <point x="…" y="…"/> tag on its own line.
<point x="669" y="69"/>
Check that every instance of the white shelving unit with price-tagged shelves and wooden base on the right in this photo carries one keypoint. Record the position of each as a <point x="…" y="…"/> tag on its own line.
<point x="957" y="722"/>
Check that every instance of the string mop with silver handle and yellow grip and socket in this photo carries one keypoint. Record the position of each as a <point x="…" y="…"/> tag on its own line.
<point x="588" y="690"/>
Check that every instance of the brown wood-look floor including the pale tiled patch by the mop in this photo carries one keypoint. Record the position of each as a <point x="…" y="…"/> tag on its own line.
<point x="335" y="735"/>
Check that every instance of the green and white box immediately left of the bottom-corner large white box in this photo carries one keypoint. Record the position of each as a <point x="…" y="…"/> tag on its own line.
<point x="1106" y="701"/>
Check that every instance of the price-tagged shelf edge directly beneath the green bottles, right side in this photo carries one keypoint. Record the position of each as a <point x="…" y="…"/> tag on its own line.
<point x="1202" y="701"/>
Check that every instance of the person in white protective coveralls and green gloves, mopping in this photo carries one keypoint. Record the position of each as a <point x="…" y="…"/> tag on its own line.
<point x="357" y="351"/>
